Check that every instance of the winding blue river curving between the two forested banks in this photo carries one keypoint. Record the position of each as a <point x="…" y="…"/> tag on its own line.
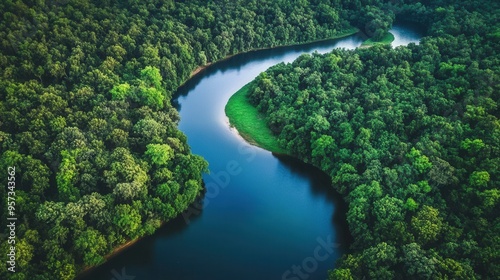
<point x="262" y="217"/>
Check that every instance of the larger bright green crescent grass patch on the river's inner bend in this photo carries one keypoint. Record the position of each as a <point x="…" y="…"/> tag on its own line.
<point x="250" y="123"/>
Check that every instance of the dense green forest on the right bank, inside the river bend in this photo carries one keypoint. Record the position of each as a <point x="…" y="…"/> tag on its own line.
<point x="410" y="136"/>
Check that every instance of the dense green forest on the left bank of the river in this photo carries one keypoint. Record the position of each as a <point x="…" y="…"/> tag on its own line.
<point x="86" y="117"/>
